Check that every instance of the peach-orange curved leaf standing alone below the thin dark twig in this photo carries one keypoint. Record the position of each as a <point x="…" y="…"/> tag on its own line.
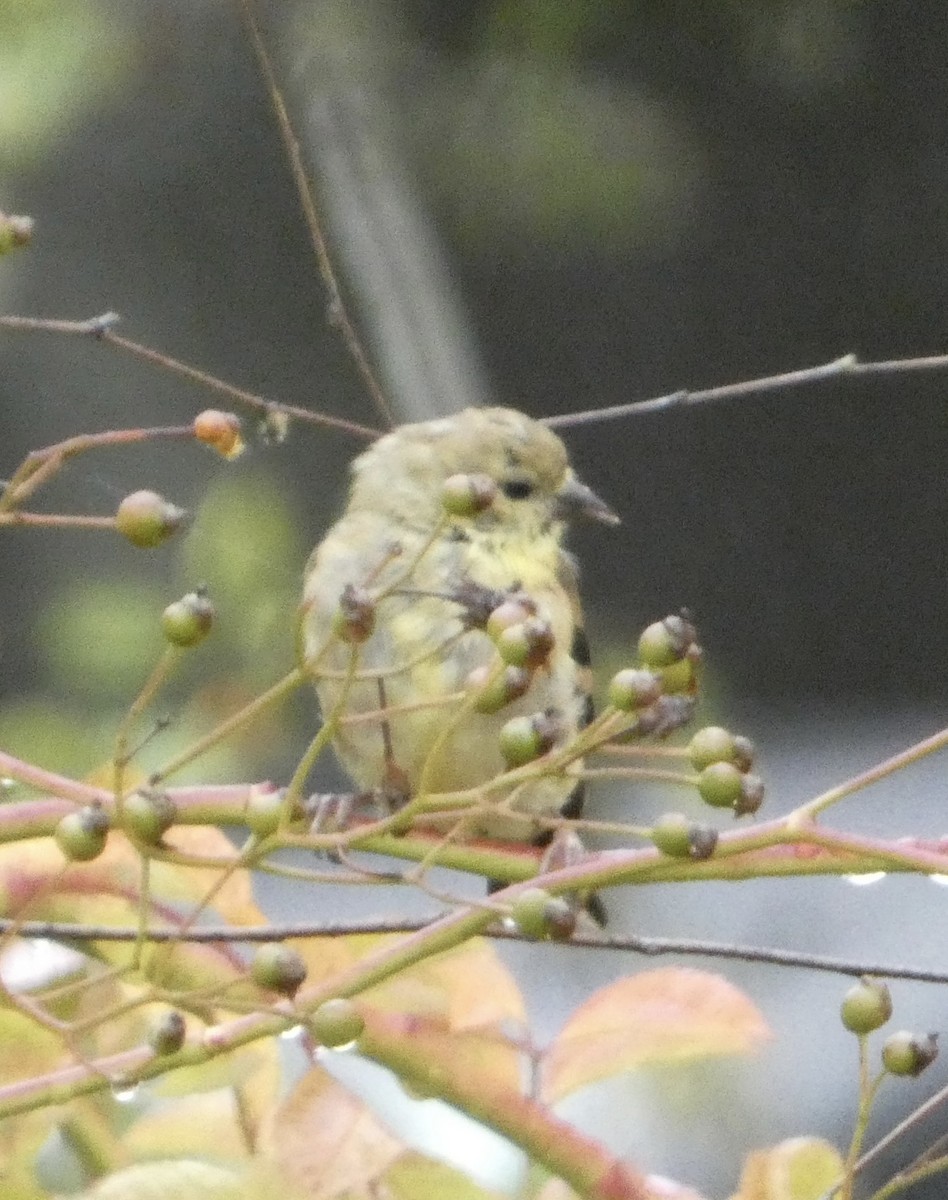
<point x="663" y="1017"/>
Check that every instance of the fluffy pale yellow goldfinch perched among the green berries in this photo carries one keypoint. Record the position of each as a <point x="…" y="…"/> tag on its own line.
<point x="395" y="625"/>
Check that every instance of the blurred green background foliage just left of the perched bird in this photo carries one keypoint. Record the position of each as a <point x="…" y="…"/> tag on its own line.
<point x="99" y="638"/>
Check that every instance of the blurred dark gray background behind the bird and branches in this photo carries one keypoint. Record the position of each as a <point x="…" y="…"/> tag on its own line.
<point x="557" y="207"/>
